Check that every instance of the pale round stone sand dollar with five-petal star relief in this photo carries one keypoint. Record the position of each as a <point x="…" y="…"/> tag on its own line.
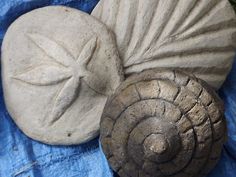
<point x="58" y="66"/>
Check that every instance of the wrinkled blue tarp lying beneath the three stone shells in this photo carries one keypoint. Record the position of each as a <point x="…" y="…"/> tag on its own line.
<point x="22" y="157"/>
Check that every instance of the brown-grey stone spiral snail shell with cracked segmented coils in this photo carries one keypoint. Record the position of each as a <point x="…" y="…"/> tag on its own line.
<point x="156" y="134"/>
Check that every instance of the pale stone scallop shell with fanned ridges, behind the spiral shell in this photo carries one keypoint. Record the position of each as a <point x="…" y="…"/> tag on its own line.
<point x="196" y="36"/>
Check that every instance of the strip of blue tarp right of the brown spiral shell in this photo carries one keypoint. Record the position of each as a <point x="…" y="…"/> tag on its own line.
<point x="227" y="165"/>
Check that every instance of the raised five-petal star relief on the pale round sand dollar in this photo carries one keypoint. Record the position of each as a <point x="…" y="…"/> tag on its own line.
<point x="67" y="69"/>
